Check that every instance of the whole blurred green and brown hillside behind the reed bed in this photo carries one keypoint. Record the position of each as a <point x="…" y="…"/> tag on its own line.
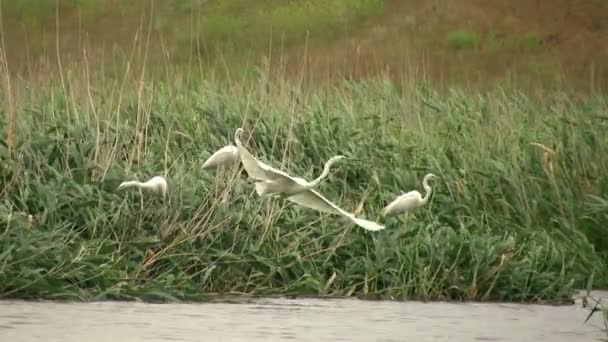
<point x="463" y="42"/>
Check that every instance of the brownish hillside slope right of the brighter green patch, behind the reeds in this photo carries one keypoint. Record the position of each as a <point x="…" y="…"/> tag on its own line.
<point x="477" y="40"/>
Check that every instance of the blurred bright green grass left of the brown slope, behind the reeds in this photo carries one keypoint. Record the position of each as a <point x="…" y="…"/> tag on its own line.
<point x="233" y="31"/>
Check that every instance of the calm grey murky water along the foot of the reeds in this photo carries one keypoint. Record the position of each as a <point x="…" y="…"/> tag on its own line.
<point x="301" y="320"/>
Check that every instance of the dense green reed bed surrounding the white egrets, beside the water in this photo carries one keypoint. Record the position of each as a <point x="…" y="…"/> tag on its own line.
<point x="505" y="223"/>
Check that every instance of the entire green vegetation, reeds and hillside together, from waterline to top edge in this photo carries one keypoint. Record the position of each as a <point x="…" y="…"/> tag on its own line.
<point x="94" y="93"/>
